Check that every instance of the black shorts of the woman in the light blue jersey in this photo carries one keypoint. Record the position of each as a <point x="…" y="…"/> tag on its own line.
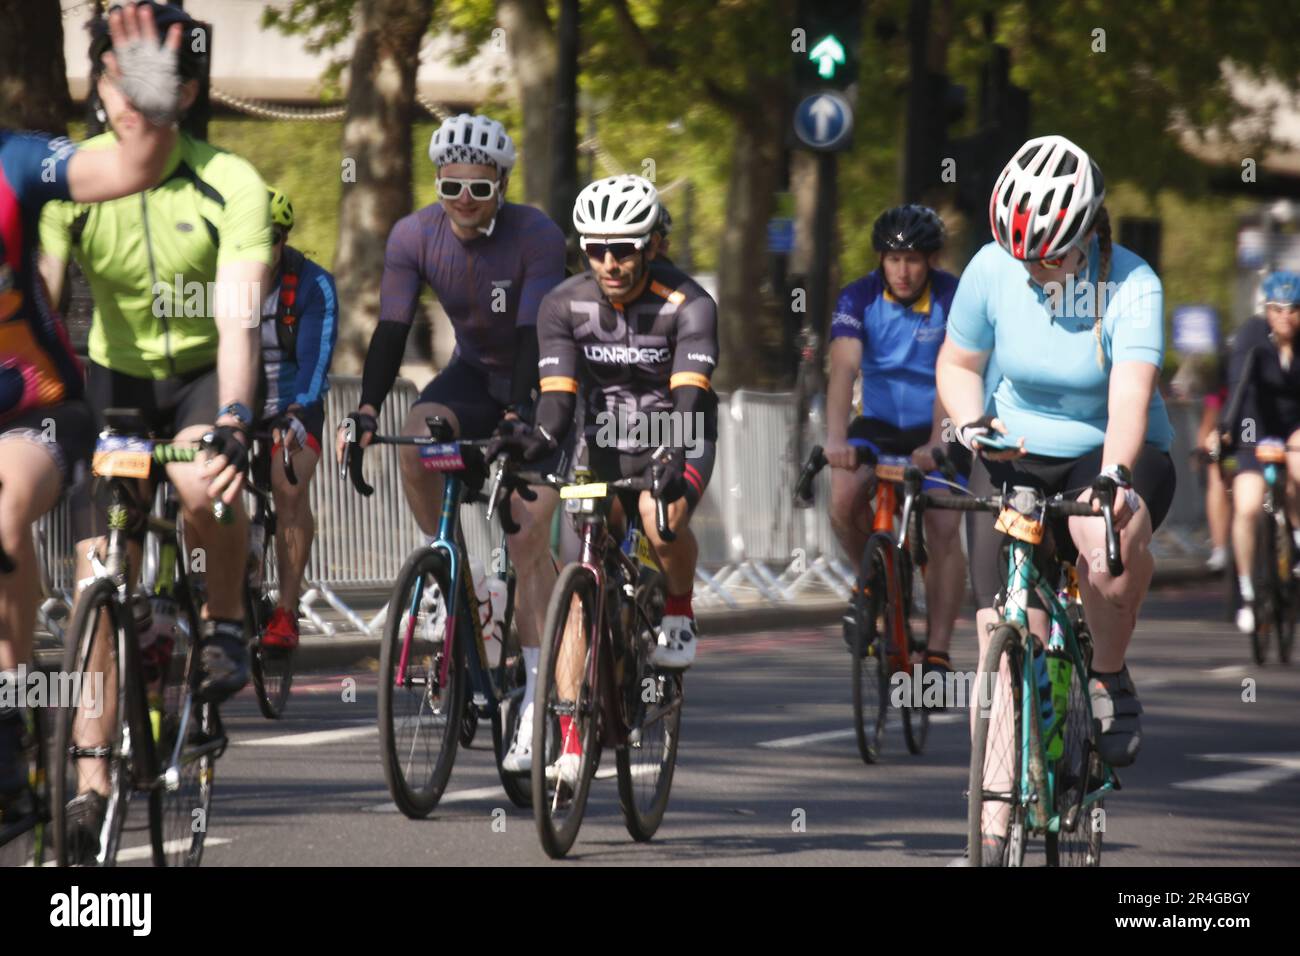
<point x="1154" y="481"/>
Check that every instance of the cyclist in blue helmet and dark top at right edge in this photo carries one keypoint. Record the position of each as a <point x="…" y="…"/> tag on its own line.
<point x="1264" y="382"/>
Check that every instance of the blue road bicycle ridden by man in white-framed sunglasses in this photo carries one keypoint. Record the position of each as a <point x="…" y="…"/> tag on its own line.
<point x="436" y="680"/>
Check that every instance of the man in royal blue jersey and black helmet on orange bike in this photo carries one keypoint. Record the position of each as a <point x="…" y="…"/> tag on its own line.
<point x="890" y="326"/>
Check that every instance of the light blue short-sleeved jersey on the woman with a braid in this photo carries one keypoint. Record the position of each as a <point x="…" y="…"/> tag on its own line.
<point x="1051" y="390"/>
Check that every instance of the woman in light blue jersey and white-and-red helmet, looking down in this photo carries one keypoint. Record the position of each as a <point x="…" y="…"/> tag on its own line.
<point x="1054" y="285"/>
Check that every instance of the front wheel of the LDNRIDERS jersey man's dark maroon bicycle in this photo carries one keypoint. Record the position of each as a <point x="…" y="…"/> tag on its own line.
<point x="558" y="808"/>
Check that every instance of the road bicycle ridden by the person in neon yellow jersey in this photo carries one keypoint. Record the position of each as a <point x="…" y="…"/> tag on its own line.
<point x="135" y="724"/>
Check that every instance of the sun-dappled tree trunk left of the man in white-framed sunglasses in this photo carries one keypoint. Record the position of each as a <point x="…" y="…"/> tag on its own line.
<point x="376" y="162"/>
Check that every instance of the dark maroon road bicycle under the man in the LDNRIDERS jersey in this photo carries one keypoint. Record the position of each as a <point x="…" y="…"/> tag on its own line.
<point x="597" y="684"/>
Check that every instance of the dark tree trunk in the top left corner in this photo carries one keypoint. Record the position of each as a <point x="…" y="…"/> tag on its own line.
<point x="33" y="75"/>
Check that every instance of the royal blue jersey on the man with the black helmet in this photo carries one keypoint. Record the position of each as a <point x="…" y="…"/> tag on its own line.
<point x="900" y="345"/>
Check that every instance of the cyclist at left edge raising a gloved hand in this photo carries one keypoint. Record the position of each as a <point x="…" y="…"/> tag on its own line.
<point x="45" y="425"/>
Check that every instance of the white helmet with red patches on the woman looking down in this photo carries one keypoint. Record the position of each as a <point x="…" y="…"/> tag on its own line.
<point x="1046" y="200"/>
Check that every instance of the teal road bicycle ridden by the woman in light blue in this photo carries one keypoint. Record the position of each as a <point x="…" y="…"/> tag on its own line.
<point x="1035" y="764"/>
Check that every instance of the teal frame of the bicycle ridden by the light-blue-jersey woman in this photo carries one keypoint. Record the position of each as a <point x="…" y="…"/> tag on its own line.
<point x="1024" y="577"/>
